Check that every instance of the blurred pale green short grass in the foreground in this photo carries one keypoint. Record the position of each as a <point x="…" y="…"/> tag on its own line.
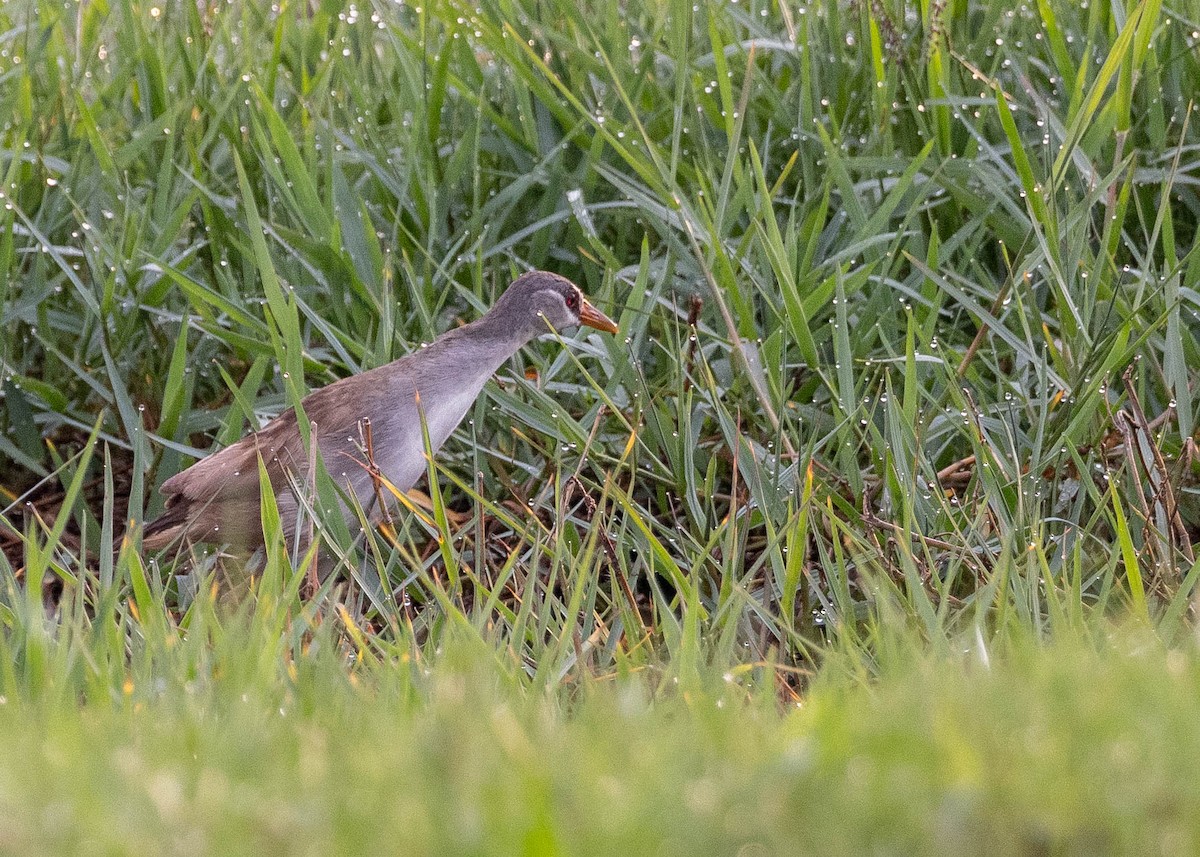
<point x="1078" y="747"/>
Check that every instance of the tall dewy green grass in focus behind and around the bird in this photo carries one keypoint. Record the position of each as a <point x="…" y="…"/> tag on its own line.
<point x="907" y="295"/>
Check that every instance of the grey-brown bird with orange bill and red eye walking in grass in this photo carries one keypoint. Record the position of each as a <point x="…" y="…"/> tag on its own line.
<point x="218" y="500"/>
